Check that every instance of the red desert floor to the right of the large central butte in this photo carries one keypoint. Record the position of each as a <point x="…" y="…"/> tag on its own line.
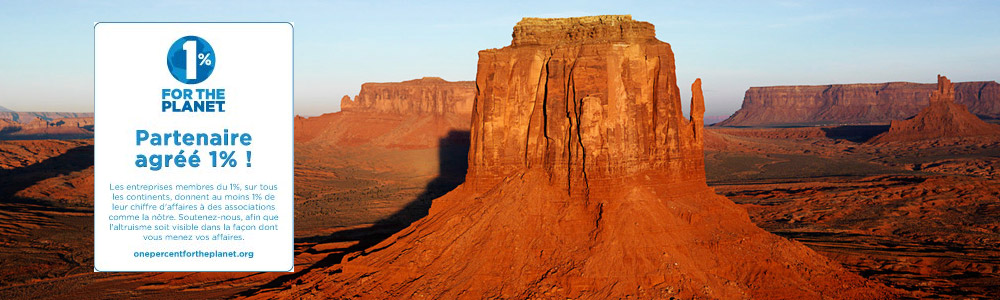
<point x="917" y="215"/>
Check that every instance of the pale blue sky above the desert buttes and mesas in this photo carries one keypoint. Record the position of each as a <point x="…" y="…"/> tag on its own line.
<point x="47" y="46"/>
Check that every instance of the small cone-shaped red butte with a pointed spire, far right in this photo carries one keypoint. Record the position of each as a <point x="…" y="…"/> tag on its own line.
<point x="942" y="118"/>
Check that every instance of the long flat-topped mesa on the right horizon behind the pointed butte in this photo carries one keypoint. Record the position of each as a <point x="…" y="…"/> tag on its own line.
<point x="854" y="103"/>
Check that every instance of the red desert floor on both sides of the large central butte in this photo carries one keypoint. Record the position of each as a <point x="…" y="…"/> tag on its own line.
<point x="918" y="216"/>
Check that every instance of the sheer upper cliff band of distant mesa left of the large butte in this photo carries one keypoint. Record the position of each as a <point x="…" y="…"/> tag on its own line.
<point x="428" y="95"/>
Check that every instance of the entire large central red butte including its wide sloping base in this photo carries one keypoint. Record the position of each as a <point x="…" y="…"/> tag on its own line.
<point x="585" y="181"/>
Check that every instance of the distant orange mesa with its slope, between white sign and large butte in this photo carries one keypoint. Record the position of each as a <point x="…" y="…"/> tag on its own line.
<point x="413" y="114"/>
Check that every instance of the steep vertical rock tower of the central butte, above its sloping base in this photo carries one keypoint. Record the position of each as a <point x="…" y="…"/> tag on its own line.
<point x="585" y="99"/>
